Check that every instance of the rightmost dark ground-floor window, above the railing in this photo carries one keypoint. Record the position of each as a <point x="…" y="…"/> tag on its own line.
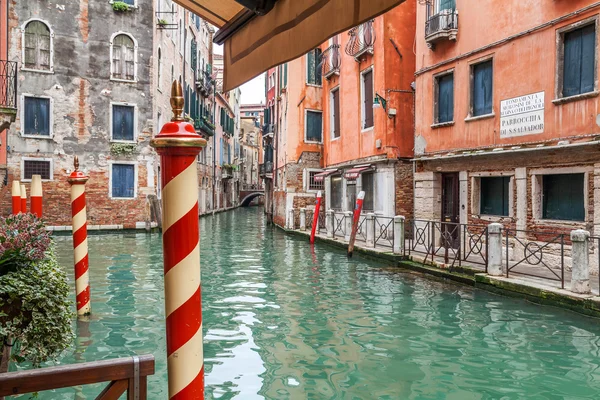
<point x="563" y="197"/>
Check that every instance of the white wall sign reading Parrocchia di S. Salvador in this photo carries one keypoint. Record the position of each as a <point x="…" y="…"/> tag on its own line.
<point x="523" y="115"/>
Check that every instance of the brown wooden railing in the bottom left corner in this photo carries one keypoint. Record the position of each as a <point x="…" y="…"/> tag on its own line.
<point x="124" y="374"/>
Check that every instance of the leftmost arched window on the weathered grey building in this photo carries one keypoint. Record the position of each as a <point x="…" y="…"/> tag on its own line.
<point x="37" y="49"/>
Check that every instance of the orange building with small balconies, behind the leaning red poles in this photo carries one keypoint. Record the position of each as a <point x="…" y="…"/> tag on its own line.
<point x="345" y="121"/>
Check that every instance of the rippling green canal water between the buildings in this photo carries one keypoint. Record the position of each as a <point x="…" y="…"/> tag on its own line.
<point x="285" y="321"/>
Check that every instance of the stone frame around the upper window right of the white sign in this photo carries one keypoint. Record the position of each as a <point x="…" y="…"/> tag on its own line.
<point x="560" y="59"/>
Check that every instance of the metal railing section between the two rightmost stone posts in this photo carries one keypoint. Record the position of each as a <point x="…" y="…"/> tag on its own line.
<point x="534" y="258"/>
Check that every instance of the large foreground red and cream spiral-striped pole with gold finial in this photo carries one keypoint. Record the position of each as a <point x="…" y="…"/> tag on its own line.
<point x="178" y="145"/>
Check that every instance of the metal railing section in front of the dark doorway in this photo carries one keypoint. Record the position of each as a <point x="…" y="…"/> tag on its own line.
<point x="453" y="242"/>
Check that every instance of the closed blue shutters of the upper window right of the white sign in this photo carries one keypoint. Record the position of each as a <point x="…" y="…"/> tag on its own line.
<point x="579" y="66"/>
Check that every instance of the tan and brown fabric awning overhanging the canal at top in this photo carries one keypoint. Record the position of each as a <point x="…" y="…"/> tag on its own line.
<point x="289" y="30"/>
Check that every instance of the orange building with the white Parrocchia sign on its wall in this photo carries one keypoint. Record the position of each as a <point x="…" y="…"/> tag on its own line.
<point x="508" y="114"/>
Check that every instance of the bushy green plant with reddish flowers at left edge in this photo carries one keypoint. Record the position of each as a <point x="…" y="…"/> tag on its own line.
<point x="35" y="310"/>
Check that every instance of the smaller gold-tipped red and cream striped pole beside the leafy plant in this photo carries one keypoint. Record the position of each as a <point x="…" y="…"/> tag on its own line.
<point x="77" y="180"/>
